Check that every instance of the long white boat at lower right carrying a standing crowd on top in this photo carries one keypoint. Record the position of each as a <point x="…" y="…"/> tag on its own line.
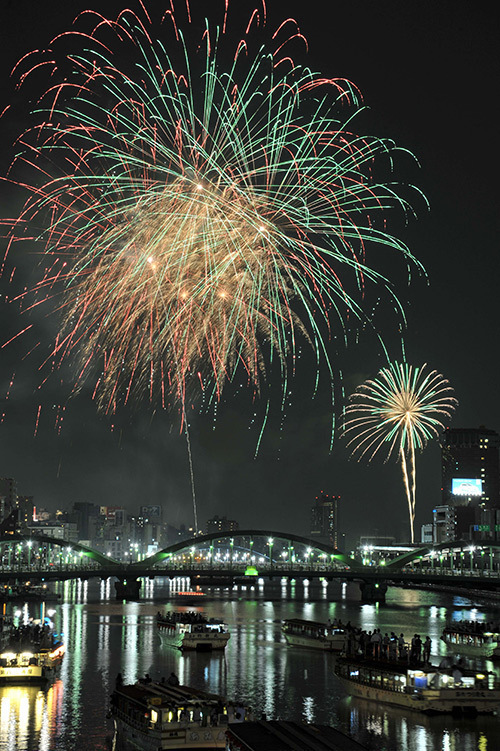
<point x="420" y="687"/>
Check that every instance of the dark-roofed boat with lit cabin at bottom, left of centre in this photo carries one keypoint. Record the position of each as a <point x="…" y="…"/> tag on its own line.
<point x="155" y="716"/>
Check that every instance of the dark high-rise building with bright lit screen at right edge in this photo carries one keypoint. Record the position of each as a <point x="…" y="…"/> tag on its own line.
<point x="470" y="467"/>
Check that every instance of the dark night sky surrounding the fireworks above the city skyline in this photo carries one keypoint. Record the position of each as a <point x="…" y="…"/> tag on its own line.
<point x="429" y="73"/>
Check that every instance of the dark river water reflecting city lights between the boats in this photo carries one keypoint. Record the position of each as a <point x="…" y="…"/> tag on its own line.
<point x="105" y="637"/>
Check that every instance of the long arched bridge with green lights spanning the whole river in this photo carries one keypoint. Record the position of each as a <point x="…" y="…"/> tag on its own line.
<point x="245" y="554"/>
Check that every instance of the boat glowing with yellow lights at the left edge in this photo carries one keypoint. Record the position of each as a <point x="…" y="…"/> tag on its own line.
<point x="30" y="654"/>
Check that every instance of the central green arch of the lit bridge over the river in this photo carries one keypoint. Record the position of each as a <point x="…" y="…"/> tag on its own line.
<point x="204" y="541"/>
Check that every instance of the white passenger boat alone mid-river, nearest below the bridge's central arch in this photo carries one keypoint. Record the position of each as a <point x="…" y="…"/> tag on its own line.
<point x="191" y="630"/>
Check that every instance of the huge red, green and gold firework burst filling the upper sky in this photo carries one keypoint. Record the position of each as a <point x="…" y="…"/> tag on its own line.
<point x="200" y="212"/>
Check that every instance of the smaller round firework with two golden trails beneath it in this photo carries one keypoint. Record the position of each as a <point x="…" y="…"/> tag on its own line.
<point x="400" y="410"/>
